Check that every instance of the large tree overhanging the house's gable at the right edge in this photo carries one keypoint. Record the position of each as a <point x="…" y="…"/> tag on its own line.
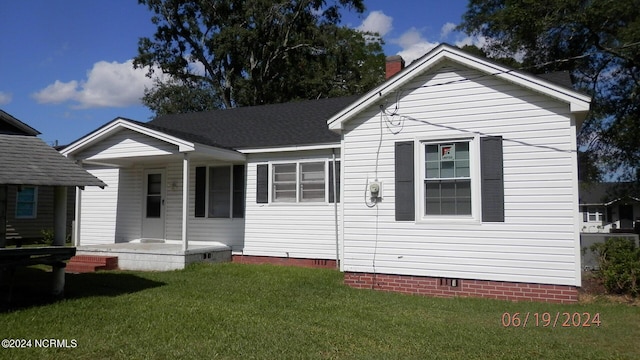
<point x="598" y="41"/>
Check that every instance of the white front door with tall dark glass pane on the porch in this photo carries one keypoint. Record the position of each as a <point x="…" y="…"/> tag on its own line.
<point x="153" y="205"/>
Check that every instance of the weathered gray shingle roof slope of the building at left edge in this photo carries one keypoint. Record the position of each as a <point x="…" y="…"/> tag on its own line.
<point x="27" y="160"/>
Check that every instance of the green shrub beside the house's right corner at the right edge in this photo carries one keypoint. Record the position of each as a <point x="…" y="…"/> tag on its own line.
<point x="619" y="262"/>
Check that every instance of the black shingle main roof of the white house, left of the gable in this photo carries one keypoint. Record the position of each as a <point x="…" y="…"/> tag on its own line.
<point x="293" y="123"/>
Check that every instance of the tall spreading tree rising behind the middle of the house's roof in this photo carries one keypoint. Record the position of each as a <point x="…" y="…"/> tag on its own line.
<point x="251" y="52"/>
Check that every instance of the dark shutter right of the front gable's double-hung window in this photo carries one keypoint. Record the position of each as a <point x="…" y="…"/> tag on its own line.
<point x="492" y="182"/>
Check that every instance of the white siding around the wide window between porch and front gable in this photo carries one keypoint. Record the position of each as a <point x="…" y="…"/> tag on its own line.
<point x="289" y="229"/>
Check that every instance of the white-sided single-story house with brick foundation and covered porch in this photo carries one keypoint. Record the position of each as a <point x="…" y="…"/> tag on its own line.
<point x="455" y="177"/>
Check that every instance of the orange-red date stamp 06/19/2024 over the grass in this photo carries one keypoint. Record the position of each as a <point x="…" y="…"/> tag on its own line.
<point x="550" y="319"/>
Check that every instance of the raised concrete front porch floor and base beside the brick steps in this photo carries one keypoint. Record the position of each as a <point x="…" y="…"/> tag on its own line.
<point x="157" y="256"/>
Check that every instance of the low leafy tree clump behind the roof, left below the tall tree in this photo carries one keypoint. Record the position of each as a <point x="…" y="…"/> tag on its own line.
<point x="174" y="97"/>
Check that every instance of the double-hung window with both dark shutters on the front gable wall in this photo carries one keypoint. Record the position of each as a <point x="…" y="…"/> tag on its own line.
<point x="461" y="178"/>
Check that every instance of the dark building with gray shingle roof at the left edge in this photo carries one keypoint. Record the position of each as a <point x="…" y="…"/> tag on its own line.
<point x="32" y="174"/>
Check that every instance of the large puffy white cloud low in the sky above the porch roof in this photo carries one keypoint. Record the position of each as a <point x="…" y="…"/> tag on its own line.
<point x="108" y="84"/>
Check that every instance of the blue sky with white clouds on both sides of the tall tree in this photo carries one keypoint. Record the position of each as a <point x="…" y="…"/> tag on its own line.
<point x="66" y="64"/>
